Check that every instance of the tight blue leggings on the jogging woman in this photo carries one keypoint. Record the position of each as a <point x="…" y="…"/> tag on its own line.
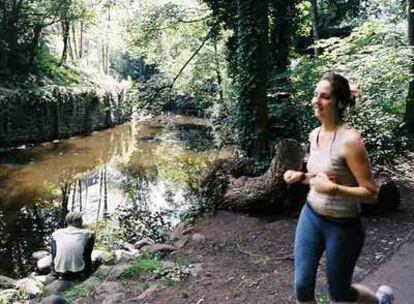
<point x="342" y="239"/>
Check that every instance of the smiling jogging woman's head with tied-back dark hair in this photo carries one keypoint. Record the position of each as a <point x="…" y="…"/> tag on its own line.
<point x="332" y="97"/>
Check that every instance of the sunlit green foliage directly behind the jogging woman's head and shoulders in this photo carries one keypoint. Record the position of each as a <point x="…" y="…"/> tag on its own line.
<point x="376" y="61"/>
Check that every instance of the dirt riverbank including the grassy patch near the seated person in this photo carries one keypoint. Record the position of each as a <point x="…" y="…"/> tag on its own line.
<point x="234" y="258"/>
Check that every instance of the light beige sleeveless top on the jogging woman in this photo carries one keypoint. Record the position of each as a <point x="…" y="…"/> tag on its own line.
<point x="330" y="160"/>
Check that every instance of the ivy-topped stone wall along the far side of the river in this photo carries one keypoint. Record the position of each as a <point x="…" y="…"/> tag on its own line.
<point x="47" y="113"/>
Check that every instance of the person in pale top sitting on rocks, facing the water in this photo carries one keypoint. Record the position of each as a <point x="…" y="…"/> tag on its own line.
<point x="72" y="249"/>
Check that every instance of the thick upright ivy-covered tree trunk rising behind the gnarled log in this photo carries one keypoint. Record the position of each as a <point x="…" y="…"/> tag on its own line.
<point x="252" y="59"/>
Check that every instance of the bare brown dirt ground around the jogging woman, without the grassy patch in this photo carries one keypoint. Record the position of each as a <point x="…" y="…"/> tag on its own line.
<point x="249" y="259"/>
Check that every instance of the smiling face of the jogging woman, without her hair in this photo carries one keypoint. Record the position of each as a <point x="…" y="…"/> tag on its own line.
<point x="323" y="103"/>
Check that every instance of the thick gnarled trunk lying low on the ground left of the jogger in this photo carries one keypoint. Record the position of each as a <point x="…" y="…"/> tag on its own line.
<point x="225" y="185"/>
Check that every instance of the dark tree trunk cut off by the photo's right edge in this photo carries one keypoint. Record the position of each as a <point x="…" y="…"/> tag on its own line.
<point x="409" y="110"/>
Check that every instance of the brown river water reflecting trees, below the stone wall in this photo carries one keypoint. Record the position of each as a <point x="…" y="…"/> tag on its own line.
<point x="151" y="165"/>
